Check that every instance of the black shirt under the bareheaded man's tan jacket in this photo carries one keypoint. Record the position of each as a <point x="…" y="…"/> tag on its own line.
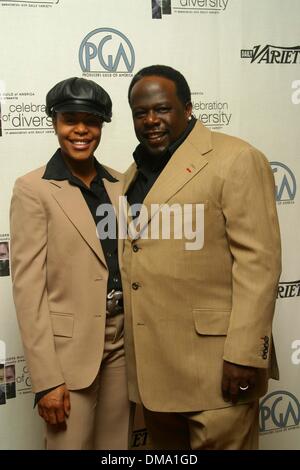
<point x="150" y="167"/>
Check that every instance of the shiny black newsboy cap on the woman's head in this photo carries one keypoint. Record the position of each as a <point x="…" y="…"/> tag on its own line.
<point x="79" y="95"/>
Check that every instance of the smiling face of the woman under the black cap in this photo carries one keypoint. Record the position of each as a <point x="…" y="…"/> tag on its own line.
<point x="78" y="134"/>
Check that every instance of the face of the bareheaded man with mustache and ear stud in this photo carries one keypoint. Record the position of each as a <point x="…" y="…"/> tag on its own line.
<point x="159" y="116"/>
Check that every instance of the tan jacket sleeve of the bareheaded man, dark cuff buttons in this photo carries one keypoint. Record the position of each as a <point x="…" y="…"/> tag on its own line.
<point x="254" y="240"/>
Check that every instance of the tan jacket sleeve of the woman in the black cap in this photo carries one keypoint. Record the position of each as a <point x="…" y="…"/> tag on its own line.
<point x="28" y="220"/>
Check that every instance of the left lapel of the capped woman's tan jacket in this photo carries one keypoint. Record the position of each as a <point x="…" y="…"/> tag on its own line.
<point x="75" y="208"/>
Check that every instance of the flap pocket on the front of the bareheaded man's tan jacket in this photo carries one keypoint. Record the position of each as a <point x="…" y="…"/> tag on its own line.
<point x="211" y="322"/>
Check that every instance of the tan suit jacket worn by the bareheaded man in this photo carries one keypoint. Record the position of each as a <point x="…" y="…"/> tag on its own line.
<point x="187" y="310"/>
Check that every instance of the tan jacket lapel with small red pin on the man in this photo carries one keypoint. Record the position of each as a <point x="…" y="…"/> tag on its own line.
<point x="185" y="163"/>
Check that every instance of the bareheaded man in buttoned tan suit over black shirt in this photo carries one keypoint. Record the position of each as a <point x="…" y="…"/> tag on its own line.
<point x="198" y="321"/>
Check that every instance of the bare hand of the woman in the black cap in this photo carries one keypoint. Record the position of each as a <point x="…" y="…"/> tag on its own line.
<point x="55" y="405"/>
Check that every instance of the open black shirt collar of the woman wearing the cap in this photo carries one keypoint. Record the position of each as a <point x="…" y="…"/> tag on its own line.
<point x="56" y="169"/>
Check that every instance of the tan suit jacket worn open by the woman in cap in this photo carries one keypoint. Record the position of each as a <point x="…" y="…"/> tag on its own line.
<point x="59" y="280"/>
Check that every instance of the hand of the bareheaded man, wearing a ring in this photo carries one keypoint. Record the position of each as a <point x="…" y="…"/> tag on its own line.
<point x="234" y="377"/>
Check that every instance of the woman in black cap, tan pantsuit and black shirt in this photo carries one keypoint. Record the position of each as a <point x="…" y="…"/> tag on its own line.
<point x="66" y="282"/>
